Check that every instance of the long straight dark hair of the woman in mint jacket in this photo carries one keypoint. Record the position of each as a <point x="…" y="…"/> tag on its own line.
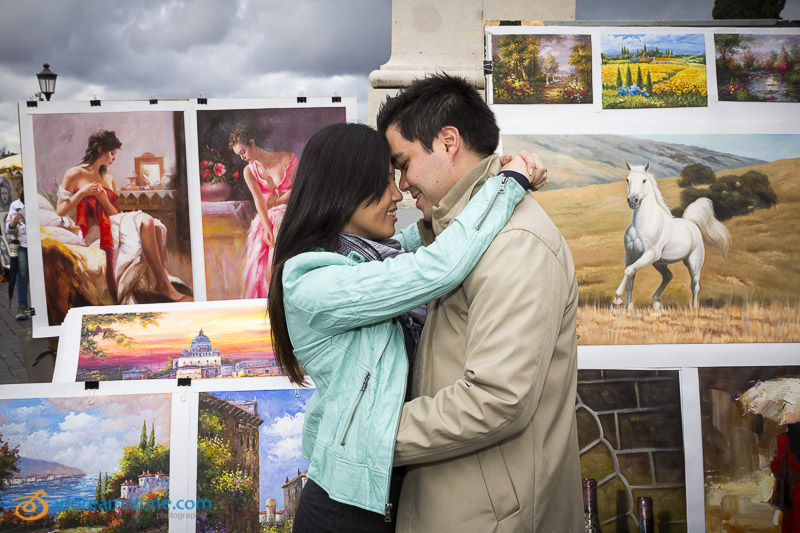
<point x="342" y="167"/>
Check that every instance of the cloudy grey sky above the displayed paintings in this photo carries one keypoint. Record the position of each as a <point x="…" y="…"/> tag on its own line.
<point x="227" y="49"/>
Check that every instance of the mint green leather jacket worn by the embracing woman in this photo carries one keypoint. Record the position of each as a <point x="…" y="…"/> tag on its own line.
<point x="339" y="312"/>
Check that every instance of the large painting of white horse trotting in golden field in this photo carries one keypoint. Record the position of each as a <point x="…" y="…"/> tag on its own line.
<point x="745" y="289"/>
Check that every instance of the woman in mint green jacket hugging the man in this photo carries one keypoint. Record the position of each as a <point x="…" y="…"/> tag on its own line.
<point x="338" y="282"/>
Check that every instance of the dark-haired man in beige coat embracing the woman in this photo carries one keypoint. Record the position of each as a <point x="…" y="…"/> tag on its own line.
<point x="491" y="431"/>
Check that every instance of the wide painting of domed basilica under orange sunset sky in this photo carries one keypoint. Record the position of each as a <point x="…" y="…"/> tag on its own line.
<point x="198" y="342"/>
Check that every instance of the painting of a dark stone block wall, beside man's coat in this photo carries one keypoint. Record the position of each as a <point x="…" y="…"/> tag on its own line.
<point x="631" y="442"/>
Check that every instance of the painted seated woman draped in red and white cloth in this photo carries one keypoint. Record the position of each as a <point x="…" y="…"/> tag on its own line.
<point x="90" y="189"/>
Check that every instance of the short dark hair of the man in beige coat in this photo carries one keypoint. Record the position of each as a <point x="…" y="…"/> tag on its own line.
<point x="428" y="105"/>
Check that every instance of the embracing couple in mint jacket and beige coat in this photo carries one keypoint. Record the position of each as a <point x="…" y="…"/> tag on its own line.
<point x="445" y="355"/>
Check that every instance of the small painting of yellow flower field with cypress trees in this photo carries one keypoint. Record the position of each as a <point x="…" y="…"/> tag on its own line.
<point x="653" y="70"/>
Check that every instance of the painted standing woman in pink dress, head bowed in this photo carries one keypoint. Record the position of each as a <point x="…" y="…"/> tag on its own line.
<point x="269" y="177"/>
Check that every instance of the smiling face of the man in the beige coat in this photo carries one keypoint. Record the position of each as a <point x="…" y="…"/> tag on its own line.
<point x="427" y="176"/>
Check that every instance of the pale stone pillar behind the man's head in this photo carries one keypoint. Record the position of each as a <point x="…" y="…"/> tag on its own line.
<point x="447" y="36"/>
